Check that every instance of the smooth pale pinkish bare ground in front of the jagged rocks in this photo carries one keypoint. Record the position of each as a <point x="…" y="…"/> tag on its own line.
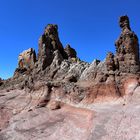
<point x="113" y="120"/>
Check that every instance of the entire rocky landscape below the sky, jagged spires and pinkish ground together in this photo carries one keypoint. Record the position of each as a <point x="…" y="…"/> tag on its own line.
<point x="58" y="96"/>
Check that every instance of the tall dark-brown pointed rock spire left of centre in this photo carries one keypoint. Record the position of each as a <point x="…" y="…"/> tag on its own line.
<point x="48" y="43"/>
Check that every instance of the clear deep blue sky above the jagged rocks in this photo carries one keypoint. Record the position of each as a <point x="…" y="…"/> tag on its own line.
<point x="90" y="26"/>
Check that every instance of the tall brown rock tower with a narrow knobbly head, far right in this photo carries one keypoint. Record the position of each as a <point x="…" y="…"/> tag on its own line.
<point x="127" y="48"/>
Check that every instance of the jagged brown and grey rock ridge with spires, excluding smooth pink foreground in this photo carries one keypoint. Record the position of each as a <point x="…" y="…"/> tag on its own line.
<point x="61" y="70"/>
